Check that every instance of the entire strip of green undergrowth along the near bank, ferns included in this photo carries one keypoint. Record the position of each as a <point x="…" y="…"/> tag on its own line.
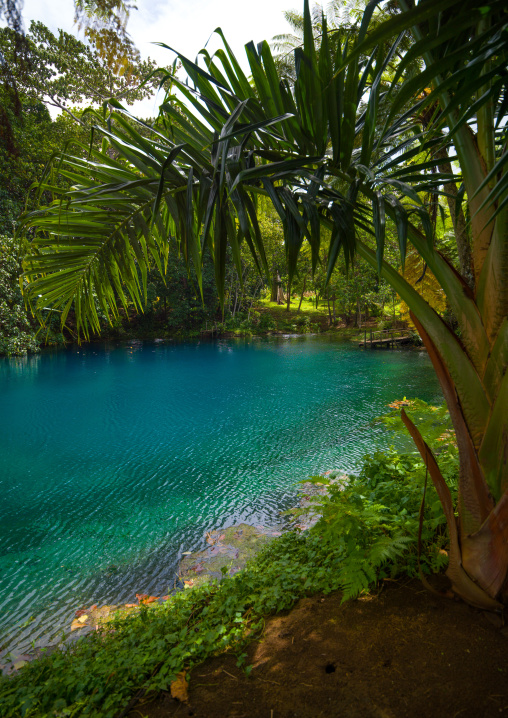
<point x="367" y="533"/>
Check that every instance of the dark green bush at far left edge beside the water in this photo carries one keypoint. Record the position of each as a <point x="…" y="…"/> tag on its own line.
<point x="17" y="335"/>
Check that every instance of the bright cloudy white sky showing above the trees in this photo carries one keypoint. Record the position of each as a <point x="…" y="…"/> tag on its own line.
<point x="185" y="25"/>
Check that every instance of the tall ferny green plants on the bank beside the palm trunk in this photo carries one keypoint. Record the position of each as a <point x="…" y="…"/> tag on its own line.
<point x="374" y="520"/>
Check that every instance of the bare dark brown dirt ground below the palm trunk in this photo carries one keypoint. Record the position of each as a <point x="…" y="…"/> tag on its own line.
<point x="402" y="653"/>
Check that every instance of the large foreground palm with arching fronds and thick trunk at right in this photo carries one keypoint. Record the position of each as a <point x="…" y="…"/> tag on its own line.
<point x="334" y="150"/>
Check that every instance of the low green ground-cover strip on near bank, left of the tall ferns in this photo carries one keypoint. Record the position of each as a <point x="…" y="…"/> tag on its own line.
<point x="96" y="676"/>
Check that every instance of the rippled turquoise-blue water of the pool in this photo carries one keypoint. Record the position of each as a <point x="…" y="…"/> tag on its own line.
<point x="115" y="459"/>
